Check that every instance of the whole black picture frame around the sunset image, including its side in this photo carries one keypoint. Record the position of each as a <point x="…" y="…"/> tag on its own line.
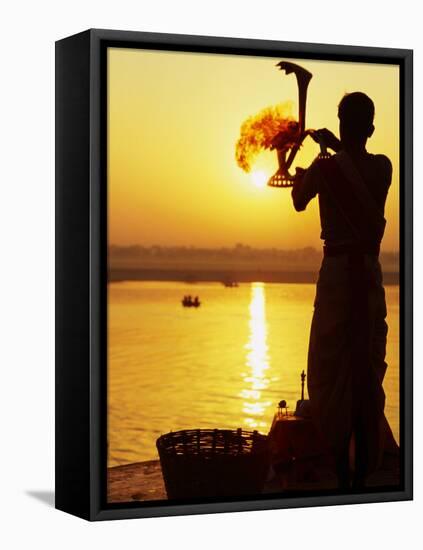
<point x="81" y="268"/>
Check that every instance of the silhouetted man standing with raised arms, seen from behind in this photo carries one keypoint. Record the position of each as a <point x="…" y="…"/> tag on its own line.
<point x="346" y="360"/>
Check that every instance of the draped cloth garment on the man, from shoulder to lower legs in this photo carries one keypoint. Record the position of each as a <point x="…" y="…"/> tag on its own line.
<point x="346" y="363"/>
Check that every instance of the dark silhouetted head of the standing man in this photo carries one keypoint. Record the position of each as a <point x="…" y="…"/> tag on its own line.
<point x="356" y="112"/>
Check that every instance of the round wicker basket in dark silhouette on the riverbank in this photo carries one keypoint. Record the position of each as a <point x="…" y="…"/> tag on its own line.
<point x="210" y="463"/>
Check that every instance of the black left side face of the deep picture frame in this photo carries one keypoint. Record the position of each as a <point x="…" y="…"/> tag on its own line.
<point x="72" y="393"/>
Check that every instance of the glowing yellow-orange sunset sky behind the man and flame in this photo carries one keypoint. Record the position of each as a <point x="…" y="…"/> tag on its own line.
<point x="174" y="119"/>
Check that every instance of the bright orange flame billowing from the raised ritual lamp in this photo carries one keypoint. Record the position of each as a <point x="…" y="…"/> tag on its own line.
<point x="259" y="132"/>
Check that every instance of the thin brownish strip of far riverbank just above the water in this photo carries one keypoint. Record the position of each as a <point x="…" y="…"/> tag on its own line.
<point x="222" y="276"/>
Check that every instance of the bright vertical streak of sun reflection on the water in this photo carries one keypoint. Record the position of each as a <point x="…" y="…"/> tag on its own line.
<point x="257" y="360"/>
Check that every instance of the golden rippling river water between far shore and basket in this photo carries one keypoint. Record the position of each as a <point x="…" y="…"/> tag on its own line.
<point x="225" y="364"/>
